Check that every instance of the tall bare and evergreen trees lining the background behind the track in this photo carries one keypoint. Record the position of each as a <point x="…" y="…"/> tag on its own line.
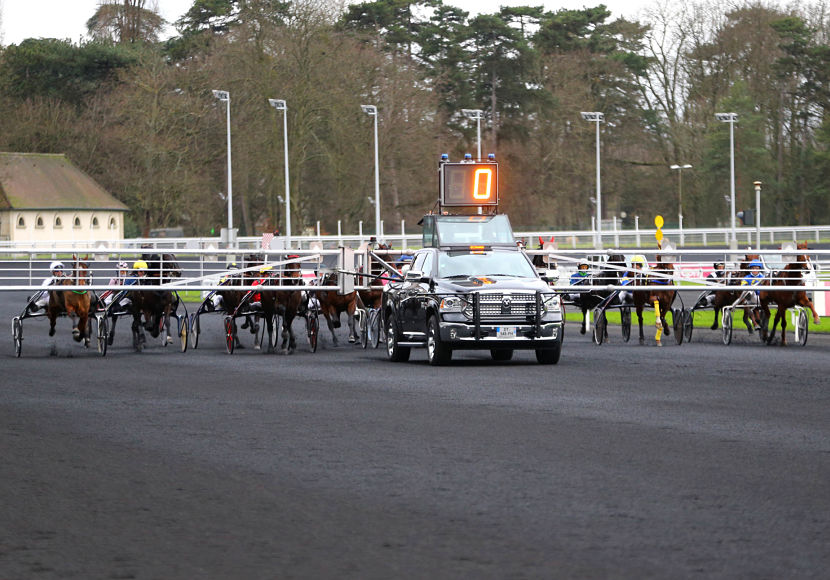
<point x="138" y="114"/>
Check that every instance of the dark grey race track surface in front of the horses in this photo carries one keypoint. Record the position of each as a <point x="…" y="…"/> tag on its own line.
<point x="623" y="461"/>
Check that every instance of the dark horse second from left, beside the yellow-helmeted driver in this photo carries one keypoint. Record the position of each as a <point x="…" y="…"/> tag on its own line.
<point x="154" y="305"/>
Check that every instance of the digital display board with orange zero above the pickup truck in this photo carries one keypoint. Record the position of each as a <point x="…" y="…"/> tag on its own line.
<point x="469" y="184"/>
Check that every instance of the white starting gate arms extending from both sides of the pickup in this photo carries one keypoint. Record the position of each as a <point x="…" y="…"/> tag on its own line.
<point x="203" y="270"/>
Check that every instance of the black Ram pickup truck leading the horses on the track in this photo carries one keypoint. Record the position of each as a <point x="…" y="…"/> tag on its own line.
<point x="474" y="296"/>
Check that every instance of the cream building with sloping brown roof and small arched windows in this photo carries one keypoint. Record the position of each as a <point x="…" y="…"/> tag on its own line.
<point x="46" y="198"/>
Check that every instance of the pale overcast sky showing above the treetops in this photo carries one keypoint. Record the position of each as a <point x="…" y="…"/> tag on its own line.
<point x="67" y="18"/>
